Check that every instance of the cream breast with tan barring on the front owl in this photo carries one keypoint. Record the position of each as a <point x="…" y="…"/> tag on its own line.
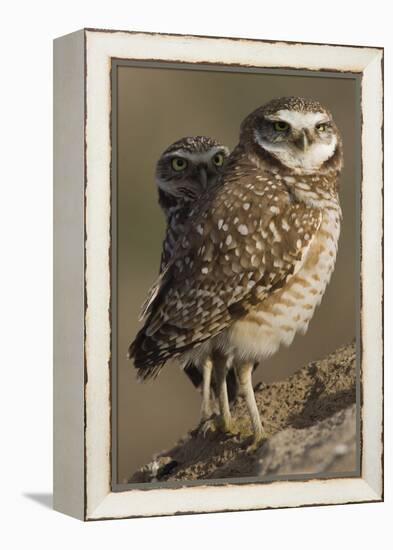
<point x="289" y="309"/>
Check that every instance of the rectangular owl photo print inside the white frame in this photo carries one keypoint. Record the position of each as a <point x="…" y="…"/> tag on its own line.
<point x="235" y="275"/>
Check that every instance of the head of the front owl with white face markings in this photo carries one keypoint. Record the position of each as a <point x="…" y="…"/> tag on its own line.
<point x="298" y="133"/>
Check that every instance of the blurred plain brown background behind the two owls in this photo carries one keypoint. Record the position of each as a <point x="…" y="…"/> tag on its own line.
<point x="156" y="107"/>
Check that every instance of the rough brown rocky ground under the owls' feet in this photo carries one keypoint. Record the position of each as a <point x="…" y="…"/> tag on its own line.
<point x="309" y="418"/>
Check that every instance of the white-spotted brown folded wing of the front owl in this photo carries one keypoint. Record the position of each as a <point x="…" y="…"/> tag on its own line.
<point x="246" y="241"/>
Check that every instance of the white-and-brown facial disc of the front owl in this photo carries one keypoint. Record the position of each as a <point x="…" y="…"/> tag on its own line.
<point x="302" y="141"/>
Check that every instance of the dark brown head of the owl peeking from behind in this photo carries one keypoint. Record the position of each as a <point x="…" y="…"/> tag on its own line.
<point x="187" y="168"/>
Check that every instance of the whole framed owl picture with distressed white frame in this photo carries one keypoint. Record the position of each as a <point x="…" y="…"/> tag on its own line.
<point x="218" y="236"/>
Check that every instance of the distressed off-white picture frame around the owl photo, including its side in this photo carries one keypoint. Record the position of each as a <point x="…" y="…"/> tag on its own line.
<point x="82" y="334"/>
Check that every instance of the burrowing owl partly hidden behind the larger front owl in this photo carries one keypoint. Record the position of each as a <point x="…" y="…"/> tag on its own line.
<point x="184" y="172"/>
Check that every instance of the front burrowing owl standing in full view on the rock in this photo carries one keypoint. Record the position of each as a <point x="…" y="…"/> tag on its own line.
<point x="257" y="255"/>
